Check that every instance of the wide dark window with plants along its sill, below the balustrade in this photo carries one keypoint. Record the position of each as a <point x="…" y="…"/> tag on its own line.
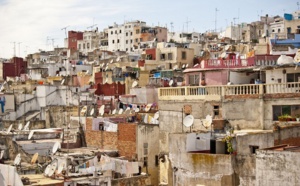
<point x="291" y="110"/>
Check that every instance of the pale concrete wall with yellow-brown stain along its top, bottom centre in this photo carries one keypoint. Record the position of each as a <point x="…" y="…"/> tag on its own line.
<point x="197" y="168"/>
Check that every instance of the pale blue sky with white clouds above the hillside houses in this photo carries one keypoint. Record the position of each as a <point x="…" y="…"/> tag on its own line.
<point x="27" y="26"/>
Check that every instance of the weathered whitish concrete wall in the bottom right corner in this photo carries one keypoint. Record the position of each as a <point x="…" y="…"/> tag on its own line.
<point x="277" y="168"/>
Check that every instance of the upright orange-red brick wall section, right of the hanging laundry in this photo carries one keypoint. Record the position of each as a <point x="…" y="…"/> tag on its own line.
<point x="127" y="140"/>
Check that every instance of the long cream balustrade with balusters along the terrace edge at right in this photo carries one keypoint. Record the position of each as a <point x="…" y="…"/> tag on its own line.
<point x="217" y="92"/>
